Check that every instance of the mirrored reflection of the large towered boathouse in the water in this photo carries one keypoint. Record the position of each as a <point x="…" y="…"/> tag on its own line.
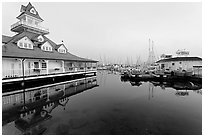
<point x="31" y="108"/>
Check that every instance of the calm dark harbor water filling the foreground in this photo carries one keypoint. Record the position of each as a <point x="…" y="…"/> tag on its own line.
<point x="103" y="105"/>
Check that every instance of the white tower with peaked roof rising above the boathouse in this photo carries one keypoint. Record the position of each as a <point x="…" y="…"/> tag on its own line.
<point x="29" y="20"/>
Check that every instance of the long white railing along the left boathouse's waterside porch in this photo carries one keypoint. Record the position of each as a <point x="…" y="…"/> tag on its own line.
<point x="36" y="72"/>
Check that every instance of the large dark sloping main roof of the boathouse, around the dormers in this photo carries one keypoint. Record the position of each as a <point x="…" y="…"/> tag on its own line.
<point x="11" y="50"/>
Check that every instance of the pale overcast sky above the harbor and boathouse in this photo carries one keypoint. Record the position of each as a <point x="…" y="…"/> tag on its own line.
<point x="117" y="32"/>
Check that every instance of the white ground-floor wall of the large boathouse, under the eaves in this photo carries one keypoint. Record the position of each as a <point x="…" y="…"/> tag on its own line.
<point x="13" y="67"/>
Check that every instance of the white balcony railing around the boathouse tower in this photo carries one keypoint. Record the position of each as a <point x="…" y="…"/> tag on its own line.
<point x="30" y="25"/>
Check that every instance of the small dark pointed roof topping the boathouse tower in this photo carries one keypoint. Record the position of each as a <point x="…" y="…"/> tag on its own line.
<point x="26" y="10"/>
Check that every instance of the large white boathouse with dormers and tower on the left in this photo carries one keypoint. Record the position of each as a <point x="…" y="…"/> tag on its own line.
<point x="30" y="54"/>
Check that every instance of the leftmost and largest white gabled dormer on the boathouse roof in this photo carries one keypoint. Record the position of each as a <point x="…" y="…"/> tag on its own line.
<point x="25" y="42"/>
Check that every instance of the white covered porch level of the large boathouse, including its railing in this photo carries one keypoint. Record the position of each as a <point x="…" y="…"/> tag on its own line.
<point x="17" y="68"/>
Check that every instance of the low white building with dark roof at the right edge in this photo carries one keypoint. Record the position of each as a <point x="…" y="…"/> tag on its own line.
<point x="182" y="63"/>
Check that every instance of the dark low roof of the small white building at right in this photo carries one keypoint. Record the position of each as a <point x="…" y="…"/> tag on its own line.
<point x="180" y="59"/>
